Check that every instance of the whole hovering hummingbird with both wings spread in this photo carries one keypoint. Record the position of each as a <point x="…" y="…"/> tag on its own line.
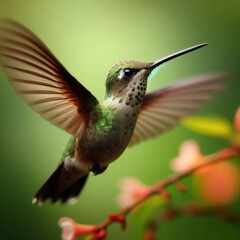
<point x="99" y="131"/>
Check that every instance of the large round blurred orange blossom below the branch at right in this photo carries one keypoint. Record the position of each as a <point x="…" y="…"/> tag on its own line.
<point x="219" y="185"/>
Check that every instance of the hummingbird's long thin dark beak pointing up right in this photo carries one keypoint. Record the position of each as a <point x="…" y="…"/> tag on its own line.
<point x="174" y="55"/>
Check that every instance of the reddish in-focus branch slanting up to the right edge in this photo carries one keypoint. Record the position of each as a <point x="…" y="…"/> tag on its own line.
<point x="99" y="231"/>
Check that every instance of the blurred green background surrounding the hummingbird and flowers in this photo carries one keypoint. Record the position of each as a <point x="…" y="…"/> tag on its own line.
<point x="88" y="37"/>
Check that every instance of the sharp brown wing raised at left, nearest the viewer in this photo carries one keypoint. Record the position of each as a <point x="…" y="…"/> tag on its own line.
<point x="41" y="79"/>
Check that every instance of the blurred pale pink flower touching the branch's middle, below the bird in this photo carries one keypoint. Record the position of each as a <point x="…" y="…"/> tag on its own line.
<point x="131" y="190"/>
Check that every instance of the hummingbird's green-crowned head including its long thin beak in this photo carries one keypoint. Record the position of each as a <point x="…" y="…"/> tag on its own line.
<point x="128" y="80"/>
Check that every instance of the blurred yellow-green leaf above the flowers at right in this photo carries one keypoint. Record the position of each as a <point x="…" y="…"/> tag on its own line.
<point x="212" y="126"/>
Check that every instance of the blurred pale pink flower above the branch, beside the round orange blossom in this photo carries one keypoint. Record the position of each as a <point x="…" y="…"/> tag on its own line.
<point x="189" y="156"/>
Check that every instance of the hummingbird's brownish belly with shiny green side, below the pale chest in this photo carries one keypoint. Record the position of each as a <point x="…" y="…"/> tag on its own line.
<point x="105" y="139"/>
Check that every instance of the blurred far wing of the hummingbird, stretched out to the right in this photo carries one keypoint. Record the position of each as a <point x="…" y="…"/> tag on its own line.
<point x="162" y="108"/>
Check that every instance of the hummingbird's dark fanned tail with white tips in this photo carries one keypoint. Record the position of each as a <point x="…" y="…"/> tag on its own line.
<point x="61" y="185"/>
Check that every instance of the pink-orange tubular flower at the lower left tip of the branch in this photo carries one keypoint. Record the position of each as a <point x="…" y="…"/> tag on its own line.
<point x="71" y="229"/>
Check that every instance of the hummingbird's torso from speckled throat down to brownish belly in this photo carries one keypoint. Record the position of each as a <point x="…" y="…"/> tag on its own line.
<point x="107" y="138"/>
